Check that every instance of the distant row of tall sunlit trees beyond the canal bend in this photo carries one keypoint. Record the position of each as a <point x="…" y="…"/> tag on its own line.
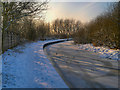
<point x="64" y="28"/>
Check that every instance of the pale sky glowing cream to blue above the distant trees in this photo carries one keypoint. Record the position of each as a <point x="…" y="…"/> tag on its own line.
<point x="83" y="11"/>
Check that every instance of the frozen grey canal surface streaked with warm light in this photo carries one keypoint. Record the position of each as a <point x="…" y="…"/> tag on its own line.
<point x="82" y="68"/>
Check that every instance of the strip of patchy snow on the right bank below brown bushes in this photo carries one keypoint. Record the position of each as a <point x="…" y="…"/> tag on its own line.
<point x="102" y="51"/>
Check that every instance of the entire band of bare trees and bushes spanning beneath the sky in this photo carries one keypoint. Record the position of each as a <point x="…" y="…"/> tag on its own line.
<point x="20" y="18"/>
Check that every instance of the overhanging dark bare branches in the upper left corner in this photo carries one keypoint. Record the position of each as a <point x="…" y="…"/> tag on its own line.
<point x="13" y="11"/>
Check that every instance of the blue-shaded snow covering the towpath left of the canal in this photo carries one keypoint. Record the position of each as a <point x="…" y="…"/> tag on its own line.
<point x="26" y="66"/>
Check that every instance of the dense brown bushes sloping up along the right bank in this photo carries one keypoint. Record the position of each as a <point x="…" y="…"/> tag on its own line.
<point x="102" y="31"/>
